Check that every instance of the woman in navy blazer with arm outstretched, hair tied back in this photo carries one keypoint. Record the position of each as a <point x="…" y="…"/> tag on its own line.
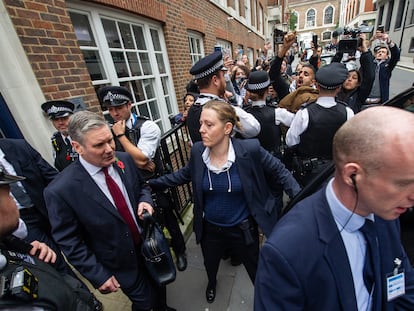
<point x="229" y="200"/>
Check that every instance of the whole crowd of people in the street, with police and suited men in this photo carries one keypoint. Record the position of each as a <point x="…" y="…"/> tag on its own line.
<point x="258" y="134"/>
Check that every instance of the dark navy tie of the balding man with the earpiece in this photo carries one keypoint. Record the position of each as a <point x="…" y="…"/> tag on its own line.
<point x="372" y="274"/>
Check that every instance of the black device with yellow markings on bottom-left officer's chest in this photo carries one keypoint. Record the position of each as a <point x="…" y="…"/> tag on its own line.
<point x="23" y="285"/>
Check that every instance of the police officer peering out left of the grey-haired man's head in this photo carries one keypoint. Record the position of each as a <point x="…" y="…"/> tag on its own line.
<point x="59" y="112"/>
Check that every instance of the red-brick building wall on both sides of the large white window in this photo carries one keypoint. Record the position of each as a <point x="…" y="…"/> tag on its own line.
<point x="47" y="35"/>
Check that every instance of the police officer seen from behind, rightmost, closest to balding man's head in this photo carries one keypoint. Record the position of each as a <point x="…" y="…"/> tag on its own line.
<point x="314" y="125"/>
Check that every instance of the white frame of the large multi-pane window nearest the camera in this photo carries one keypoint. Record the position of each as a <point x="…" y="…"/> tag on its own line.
<point x="165" y="104"/>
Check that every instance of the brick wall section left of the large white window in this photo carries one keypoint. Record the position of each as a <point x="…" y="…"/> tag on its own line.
<point x="46" y="33"/>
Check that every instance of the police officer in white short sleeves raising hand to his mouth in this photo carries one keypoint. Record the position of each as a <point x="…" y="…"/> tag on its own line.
<point x="140" y="137"/>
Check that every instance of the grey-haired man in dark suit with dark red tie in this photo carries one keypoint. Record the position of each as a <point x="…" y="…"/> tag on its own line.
<point x="99" y="234"/>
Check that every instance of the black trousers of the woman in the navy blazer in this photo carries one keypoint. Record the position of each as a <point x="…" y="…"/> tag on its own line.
<point x="217" y="241"/>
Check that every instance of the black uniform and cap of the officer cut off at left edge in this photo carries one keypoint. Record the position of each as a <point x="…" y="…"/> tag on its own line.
<point x="28" y="282"/>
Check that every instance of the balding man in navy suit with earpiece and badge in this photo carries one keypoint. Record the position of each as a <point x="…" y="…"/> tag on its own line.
<point x="319" y="256"/>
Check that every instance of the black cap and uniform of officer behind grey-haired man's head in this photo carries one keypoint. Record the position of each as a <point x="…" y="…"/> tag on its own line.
<point x="64" y="153"/>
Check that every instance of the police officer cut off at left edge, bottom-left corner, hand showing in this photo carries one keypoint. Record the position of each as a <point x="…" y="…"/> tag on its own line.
<point x="28" y="282"/>
